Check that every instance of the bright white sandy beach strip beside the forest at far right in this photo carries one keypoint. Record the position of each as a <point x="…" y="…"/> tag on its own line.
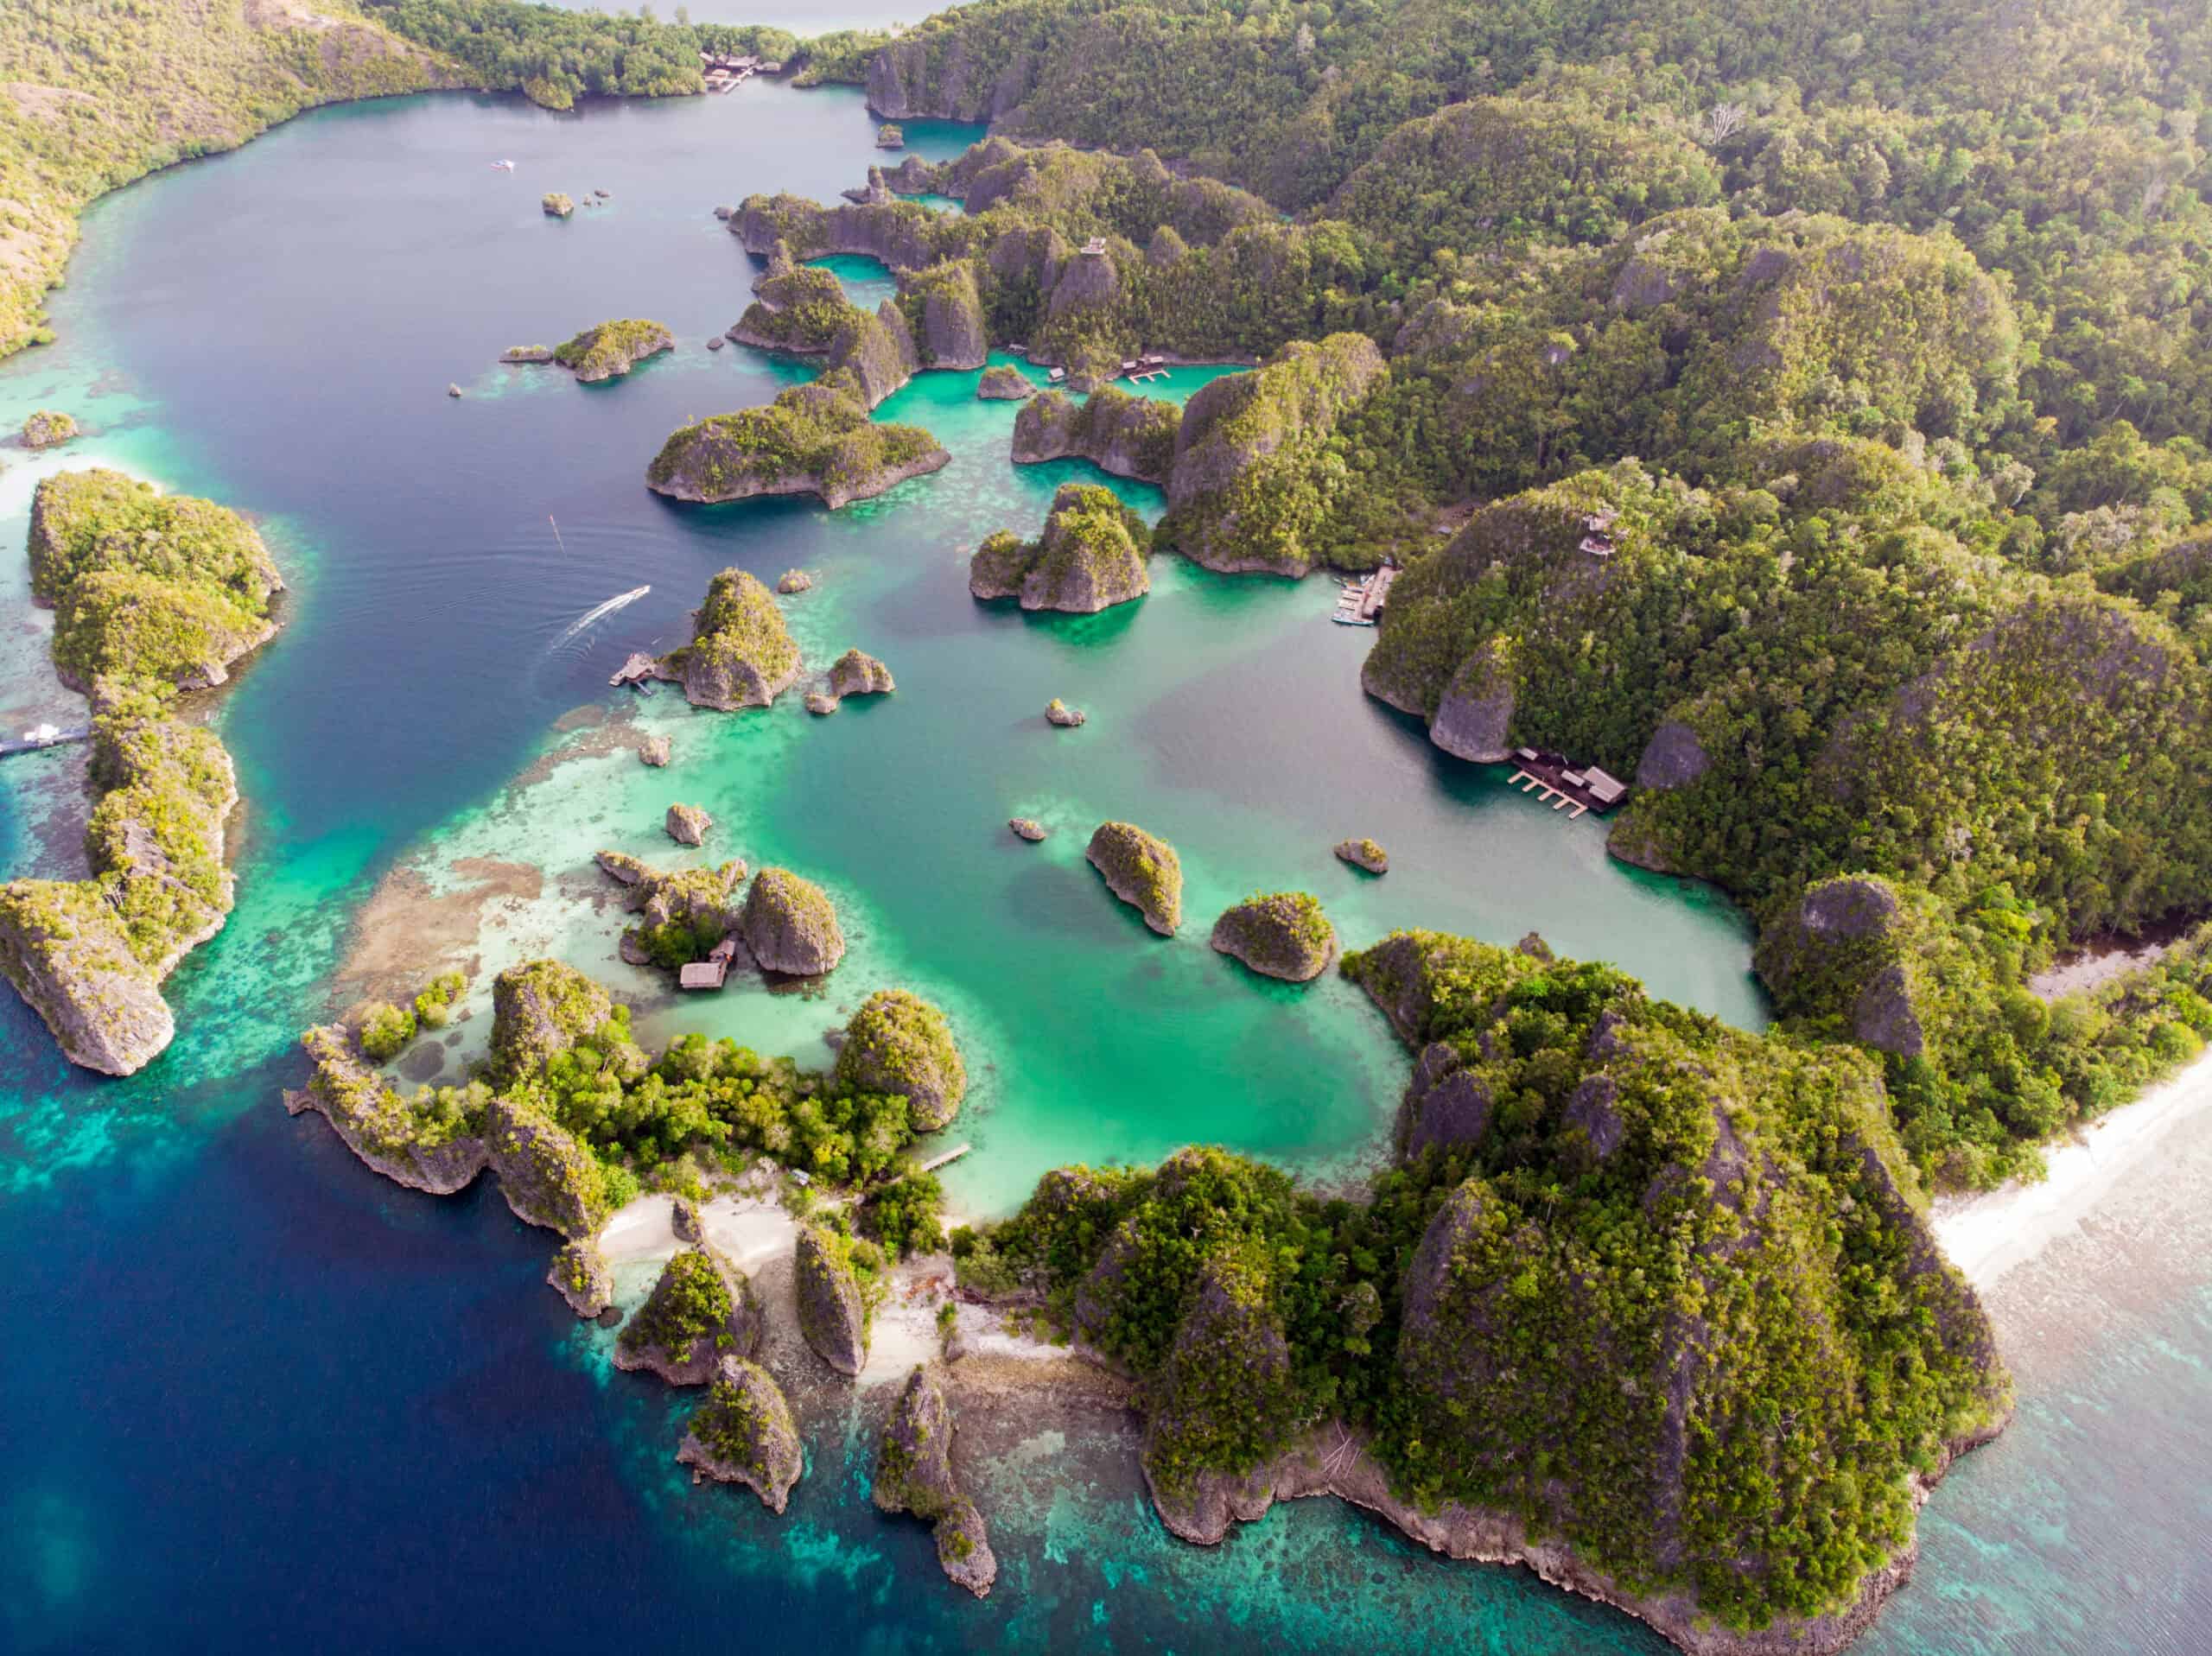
<point x="2005" y="1228"/>
